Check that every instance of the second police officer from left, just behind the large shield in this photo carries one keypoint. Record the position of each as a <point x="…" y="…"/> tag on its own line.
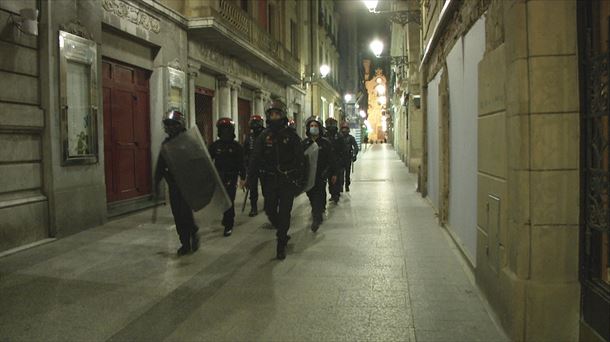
<point x="228" y="156"/>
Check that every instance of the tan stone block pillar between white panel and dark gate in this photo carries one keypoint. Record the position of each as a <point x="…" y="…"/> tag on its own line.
<point x="537" y="241"/>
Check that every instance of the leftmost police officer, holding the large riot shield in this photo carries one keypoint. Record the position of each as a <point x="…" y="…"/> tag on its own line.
<point x="174" y="124"/>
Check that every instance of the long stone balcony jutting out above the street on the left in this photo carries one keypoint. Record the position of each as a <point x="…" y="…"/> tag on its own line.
<point x="233" y="32"/>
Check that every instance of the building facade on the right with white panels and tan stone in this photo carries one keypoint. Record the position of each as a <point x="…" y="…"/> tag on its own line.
<point x="512" y="125"/>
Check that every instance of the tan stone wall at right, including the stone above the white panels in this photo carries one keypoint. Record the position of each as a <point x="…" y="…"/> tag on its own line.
<point x="528" y="161"/>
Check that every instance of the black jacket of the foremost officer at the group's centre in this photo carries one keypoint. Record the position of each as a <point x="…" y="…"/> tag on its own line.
<point x="277" y="153"/>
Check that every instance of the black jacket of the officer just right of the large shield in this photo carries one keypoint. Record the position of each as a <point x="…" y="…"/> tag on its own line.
<point x="228" y="158"/>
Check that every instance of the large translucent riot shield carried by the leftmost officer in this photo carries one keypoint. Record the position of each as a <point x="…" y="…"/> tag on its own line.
<point x="190" y="163"/>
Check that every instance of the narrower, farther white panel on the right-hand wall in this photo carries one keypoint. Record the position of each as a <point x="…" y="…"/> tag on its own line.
<point x="433" y="142"/>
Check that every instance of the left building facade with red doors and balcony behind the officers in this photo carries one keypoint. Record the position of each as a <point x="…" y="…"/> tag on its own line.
<point x="82" y="103"/>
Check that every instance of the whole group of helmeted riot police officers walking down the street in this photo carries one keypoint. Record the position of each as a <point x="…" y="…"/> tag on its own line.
<point x="274" y="156"/>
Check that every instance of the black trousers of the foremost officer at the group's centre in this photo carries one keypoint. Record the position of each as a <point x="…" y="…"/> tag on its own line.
<point x="279" y="197"/>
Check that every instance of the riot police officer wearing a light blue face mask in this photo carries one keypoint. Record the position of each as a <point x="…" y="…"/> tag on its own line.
<point x="325" y="169"/>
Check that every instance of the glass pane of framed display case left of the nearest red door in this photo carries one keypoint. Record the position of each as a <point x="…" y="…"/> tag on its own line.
<point x="79" y="109"/>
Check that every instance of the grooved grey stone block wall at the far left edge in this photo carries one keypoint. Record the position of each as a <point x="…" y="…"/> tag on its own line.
<point x="23" y="199"/>
